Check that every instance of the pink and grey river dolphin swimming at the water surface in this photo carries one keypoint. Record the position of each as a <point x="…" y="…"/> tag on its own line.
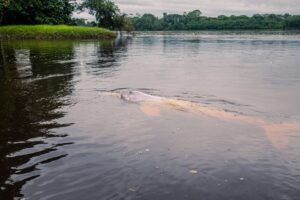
<point x="277" y="133"/>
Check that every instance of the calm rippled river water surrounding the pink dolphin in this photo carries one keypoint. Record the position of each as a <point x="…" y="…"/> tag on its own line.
<point x="61" y="139"/>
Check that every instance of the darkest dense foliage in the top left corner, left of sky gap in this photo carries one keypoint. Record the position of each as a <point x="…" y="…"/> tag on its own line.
<point x="38" y="12"/>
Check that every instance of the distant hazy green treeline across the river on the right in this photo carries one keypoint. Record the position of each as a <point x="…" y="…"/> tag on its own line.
<point x="195" y="21"/>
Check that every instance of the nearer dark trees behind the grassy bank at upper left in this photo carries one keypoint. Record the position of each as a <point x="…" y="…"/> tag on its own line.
<point x="107" y="14"/>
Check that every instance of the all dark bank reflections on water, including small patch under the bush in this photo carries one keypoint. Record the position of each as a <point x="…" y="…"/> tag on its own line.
<point x="35" y="88"/>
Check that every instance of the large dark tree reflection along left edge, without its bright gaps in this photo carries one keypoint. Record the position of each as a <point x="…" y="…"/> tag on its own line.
<point x="28" y="110"/>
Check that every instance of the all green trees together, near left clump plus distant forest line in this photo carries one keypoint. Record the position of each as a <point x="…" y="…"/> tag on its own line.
<point x="109" y="16"/>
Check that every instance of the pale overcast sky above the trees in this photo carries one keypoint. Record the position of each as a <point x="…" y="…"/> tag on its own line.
<point x="208" y="7"/>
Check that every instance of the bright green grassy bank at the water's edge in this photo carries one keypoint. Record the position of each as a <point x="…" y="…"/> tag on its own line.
<point x="54" y="32"/>
